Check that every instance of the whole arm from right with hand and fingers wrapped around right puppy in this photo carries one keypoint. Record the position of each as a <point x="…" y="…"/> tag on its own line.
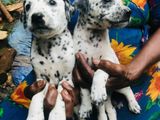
<point x="149" y="55"/>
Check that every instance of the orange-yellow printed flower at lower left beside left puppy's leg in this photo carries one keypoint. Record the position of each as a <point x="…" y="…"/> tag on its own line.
<point x="19" y="97"/>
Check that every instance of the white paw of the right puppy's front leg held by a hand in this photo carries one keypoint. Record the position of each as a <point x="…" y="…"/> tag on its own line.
<point x="98" y="95"/>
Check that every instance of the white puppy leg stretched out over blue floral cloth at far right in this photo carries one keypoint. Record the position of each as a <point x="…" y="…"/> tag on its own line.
<point x="132" y="103"/>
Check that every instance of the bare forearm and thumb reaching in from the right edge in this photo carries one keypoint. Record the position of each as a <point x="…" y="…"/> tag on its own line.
<point x="149" y="55"/>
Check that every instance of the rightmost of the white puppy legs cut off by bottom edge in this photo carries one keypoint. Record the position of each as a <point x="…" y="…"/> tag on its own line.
<point x="111" y="111"/>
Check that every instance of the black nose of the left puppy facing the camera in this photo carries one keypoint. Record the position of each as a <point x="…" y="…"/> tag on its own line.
<point x="37" y="19"/>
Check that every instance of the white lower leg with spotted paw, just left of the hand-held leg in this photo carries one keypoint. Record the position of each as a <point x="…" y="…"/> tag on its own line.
<point x="86" y="106"/>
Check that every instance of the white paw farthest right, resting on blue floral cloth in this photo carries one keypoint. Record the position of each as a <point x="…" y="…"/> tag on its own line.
<point x="134" y="107"/>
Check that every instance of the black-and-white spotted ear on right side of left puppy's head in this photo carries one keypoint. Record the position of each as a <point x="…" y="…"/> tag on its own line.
<point x="69" y="9"/>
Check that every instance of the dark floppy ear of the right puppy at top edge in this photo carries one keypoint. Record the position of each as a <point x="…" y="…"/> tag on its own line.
<point x="82" y="5"/>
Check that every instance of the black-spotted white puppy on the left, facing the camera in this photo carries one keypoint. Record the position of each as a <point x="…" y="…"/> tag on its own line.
<point x="52" y="52"/>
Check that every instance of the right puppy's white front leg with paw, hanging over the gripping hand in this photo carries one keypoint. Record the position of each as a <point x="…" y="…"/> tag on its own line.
<point x="98" y="88"/>
